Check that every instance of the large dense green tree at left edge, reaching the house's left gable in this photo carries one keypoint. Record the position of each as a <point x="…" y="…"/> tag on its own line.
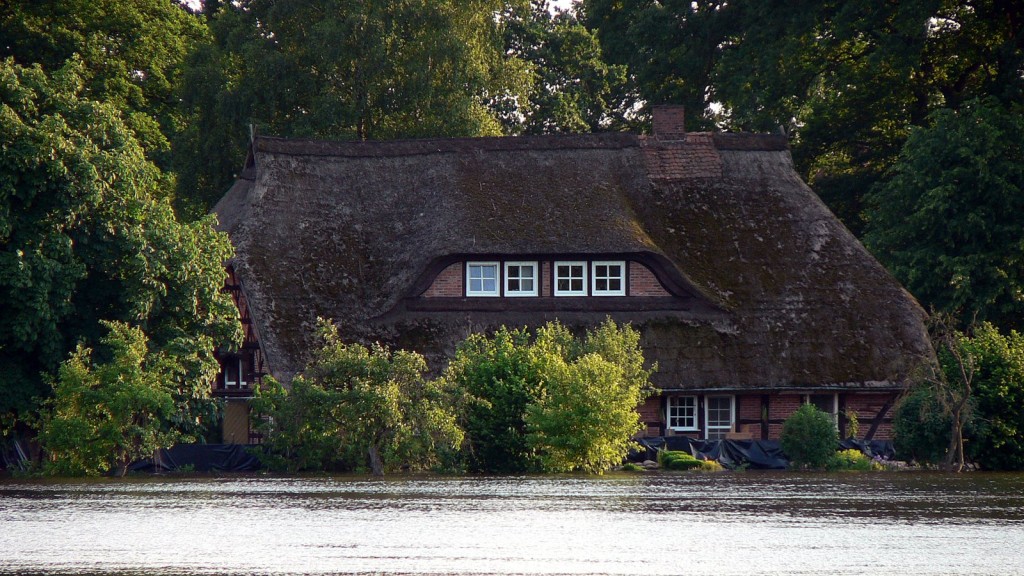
<point x="86" y="237"/>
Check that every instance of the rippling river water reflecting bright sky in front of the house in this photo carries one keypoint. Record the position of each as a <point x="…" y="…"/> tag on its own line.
<point x="652" y="524"/>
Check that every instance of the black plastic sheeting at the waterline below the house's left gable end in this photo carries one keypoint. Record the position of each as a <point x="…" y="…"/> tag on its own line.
<point x="201" y="459"/>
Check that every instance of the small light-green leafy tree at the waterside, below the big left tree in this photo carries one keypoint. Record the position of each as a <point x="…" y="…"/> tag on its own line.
<point x="103" y="417"/>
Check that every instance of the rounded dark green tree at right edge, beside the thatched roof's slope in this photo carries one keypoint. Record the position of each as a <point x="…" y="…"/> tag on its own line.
<point x="947" y="221"/>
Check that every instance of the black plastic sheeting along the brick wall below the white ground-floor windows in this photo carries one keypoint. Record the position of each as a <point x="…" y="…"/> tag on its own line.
<point x="754" y="455"/>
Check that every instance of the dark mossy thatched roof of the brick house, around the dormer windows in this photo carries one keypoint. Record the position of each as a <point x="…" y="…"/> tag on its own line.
<point x="770" y="290"/>
